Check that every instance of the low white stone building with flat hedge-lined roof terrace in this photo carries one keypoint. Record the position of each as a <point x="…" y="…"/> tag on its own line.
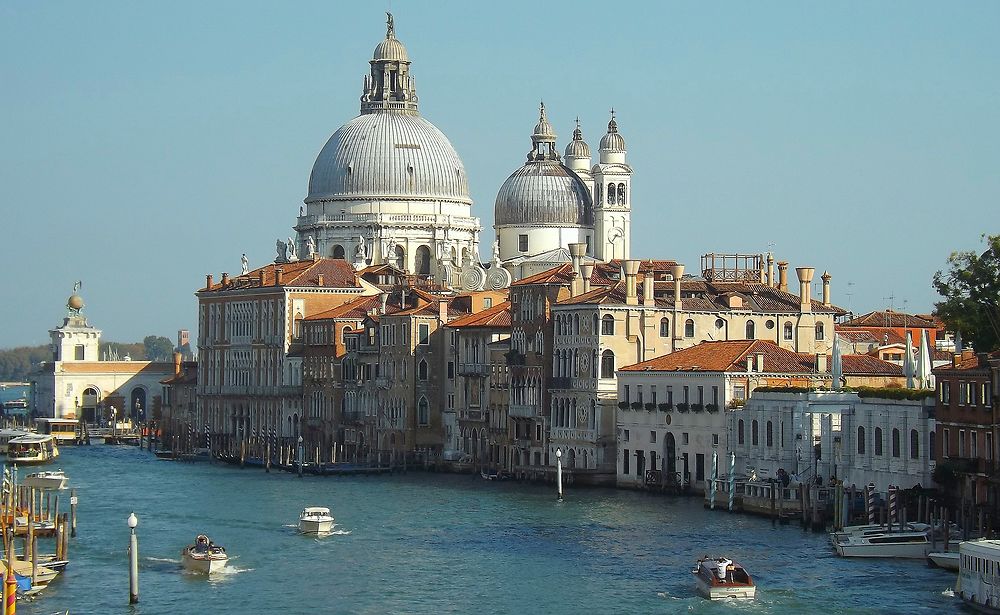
<point x="858" y="440"/>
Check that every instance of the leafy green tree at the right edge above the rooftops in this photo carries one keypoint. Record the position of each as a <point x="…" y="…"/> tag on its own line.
<point x="971" y="291"/>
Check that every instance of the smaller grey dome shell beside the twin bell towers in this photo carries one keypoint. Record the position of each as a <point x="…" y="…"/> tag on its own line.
<point x="544" y="193"/>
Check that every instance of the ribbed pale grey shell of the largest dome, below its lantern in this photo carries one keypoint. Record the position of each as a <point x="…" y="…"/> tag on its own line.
<point x="388" y="155"/>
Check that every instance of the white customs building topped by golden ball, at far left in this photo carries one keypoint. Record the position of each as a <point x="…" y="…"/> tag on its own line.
<point x="77" y="384"/>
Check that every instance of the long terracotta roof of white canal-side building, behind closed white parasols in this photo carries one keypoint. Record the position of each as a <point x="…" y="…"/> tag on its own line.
<point x="728" y="356"/>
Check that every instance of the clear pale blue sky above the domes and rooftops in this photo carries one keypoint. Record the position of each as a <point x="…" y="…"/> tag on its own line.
<point x="144" y="145"/>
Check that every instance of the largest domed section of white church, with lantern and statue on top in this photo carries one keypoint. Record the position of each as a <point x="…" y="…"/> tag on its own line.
<point x="388" y="187"/>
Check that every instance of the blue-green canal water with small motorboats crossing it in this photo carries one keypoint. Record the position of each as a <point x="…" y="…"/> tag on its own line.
<point x="434" y="543"/>
